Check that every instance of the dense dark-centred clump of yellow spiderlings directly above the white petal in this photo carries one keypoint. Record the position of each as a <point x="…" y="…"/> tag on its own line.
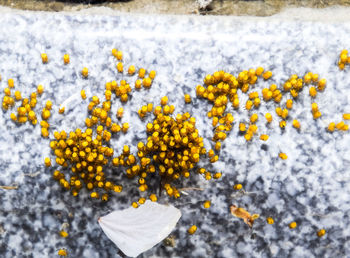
<point x="172" y="150"/>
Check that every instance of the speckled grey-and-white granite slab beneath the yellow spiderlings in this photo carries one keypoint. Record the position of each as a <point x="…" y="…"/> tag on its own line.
<point x="311" y="187"/>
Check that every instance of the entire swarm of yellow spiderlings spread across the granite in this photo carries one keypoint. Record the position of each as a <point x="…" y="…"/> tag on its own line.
<point x="173" y="147"/>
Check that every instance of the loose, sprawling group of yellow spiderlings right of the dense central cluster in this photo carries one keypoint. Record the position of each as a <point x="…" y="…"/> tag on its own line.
<point x="222" y="86"/>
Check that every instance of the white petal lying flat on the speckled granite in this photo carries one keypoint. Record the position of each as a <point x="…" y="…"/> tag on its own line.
<point x="136" y="230"/>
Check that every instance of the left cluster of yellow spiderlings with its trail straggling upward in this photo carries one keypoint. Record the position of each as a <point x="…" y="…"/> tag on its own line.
<point x="87" y="153"/>
